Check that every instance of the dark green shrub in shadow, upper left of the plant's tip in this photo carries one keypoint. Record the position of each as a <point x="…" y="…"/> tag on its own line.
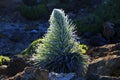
<point x="33" y="12"/>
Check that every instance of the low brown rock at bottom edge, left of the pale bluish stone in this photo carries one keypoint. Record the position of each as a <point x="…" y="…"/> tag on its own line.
<point x="31" y="73"/>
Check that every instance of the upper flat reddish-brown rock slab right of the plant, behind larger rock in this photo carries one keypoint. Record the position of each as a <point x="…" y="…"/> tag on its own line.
<point x="102" y="51"/>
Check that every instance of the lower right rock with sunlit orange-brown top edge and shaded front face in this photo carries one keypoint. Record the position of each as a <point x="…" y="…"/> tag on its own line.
<point x="105" y="66"/>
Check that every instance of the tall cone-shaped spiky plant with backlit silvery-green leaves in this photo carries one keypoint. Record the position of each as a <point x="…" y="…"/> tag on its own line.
<point x="59" y="51"/>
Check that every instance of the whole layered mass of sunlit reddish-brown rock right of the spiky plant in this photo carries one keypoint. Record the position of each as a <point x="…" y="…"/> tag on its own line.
<point x="105" y="60"/>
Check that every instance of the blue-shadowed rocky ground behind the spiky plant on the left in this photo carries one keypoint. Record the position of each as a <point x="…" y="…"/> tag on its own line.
<point x="16" y="35"/>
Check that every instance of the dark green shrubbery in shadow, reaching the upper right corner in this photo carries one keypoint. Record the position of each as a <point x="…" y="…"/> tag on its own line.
<point x="107" y="11"/>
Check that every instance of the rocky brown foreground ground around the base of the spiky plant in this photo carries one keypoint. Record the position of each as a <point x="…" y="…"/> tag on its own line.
<point x="103" y="65"/>
